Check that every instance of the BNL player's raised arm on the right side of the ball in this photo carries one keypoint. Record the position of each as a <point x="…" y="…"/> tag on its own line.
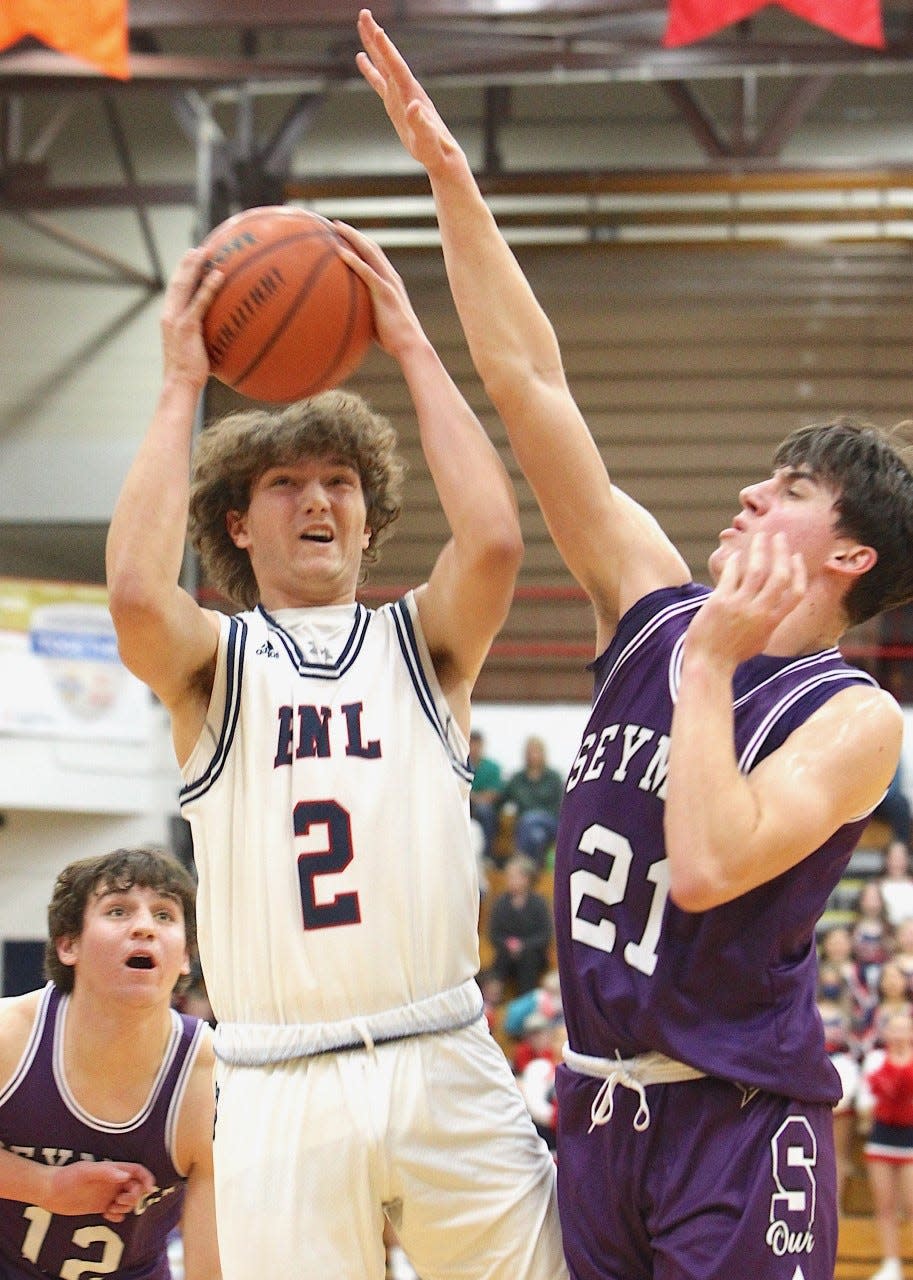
<point x="471" y="588"/>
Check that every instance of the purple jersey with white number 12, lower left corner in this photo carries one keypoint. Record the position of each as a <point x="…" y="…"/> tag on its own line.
<point x="43" y="1121"/>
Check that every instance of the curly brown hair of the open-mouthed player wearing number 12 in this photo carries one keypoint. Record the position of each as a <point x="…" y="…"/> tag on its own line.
<point x="145" y="866"/>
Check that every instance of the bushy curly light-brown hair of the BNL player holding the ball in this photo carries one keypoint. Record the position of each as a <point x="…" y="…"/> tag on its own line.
<point x="232" y="455"/>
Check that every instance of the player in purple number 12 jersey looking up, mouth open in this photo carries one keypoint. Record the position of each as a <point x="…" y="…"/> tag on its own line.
<point x="107" y="1104"/>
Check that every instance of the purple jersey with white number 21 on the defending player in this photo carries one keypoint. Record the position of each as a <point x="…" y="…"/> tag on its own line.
<point x="731" y="991"/>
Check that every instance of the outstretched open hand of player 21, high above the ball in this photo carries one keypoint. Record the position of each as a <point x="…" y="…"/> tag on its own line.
<point x="412" y="112"/>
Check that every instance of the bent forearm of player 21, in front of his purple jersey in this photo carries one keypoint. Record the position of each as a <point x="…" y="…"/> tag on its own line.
<point x="711" y="811"/>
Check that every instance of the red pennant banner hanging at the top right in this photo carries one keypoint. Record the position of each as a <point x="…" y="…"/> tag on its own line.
<point x="857" y="21"/>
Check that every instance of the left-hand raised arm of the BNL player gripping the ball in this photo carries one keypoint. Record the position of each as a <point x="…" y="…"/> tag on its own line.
<point x="165" y="637"/>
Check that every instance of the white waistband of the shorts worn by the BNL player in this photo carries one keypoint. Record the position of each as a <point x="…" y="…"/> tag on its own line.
<point x="263" y="1044"/>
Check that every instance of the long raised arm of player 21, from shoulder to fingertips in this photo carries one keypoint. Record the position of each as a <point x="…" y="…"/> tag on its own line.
<point x="614" y="548"/>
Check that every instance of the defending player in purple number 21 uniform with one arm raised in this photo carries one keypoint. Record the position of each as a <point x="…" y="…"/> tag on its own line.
<point x="728" y="769"/>
